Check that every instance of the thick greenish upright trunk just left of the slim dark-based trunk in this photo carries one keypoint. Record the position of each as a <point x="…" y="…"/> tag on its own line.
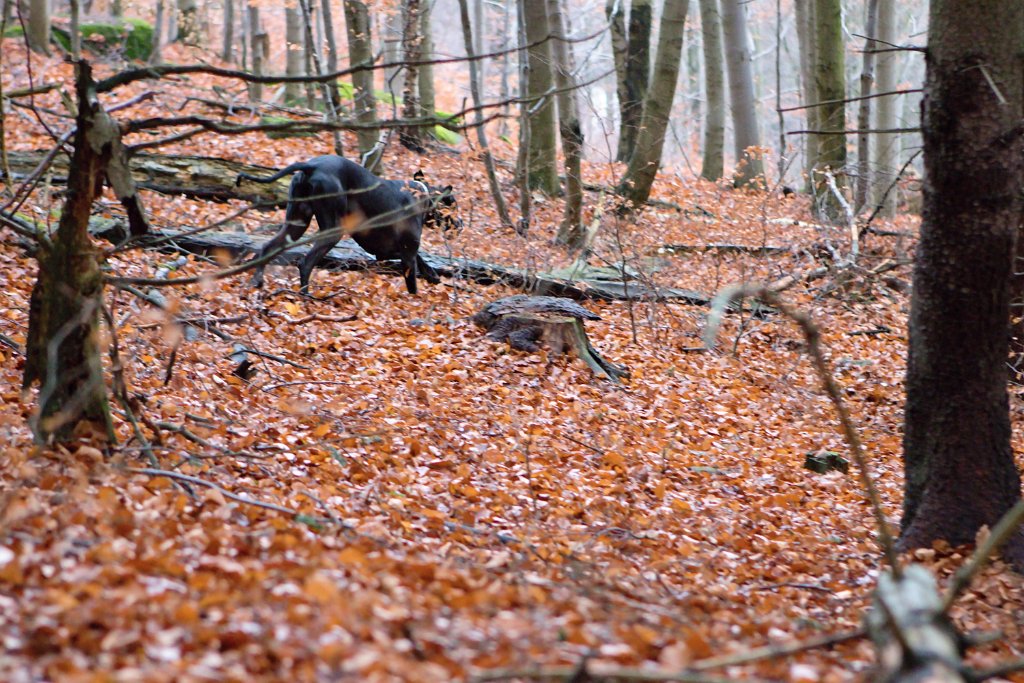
<point x="542" y="168"/>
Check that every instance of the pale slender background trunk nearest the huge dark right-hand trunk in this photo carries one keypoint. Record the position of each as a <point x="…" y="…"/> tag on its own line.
<point x="887" y="146"/>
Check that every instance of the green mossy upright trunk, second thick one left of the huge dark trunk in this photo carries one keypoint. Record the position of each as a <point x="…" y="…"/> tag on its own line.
<point x="830" y="86"/>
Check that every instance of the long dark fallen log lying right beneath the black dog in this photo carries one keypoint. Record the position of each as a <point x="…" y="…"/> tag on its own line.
<point x="349" y="257"/>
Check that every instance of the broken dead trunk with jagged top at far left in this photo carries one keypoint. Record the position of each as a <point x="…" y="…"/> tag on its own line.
<point x="64" y="348"/>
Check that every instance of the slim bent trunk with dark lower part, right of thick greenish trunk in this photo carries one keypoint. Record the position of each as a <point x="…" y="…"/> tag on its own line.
<point x="571" y="231"/>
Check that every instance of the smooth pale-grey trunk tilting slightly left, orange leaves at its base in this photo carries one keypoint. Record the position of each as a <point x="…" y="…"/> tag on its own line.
<point x="739" y="63"/>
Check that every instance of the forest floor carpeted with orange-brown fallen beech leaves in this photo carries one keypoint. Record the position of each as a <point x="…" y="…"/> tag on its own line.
<point x="452" y="506"/>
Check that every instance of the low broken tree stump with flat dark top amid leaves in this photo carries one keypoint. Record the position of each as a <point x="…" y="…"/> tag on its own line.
<point x="525" y="322"/>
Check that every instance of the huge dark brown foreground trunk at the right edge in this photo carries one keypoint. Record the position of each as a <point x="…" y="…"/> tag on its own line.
<point x="960" y="465"/>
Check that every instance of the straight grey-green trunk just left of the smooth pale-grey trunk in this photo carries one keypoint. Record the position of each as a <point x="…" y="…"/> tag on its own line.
<point x="713" y="166"/>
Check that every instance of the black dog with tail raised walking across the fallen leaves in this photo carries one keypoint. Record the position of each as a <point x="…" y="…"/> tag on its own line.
<point x="385" y="218"/>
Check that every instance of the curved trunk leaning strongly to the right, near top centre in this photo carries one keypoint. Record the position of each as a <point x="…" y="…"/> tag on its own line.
<point x="643" y="169"/>
